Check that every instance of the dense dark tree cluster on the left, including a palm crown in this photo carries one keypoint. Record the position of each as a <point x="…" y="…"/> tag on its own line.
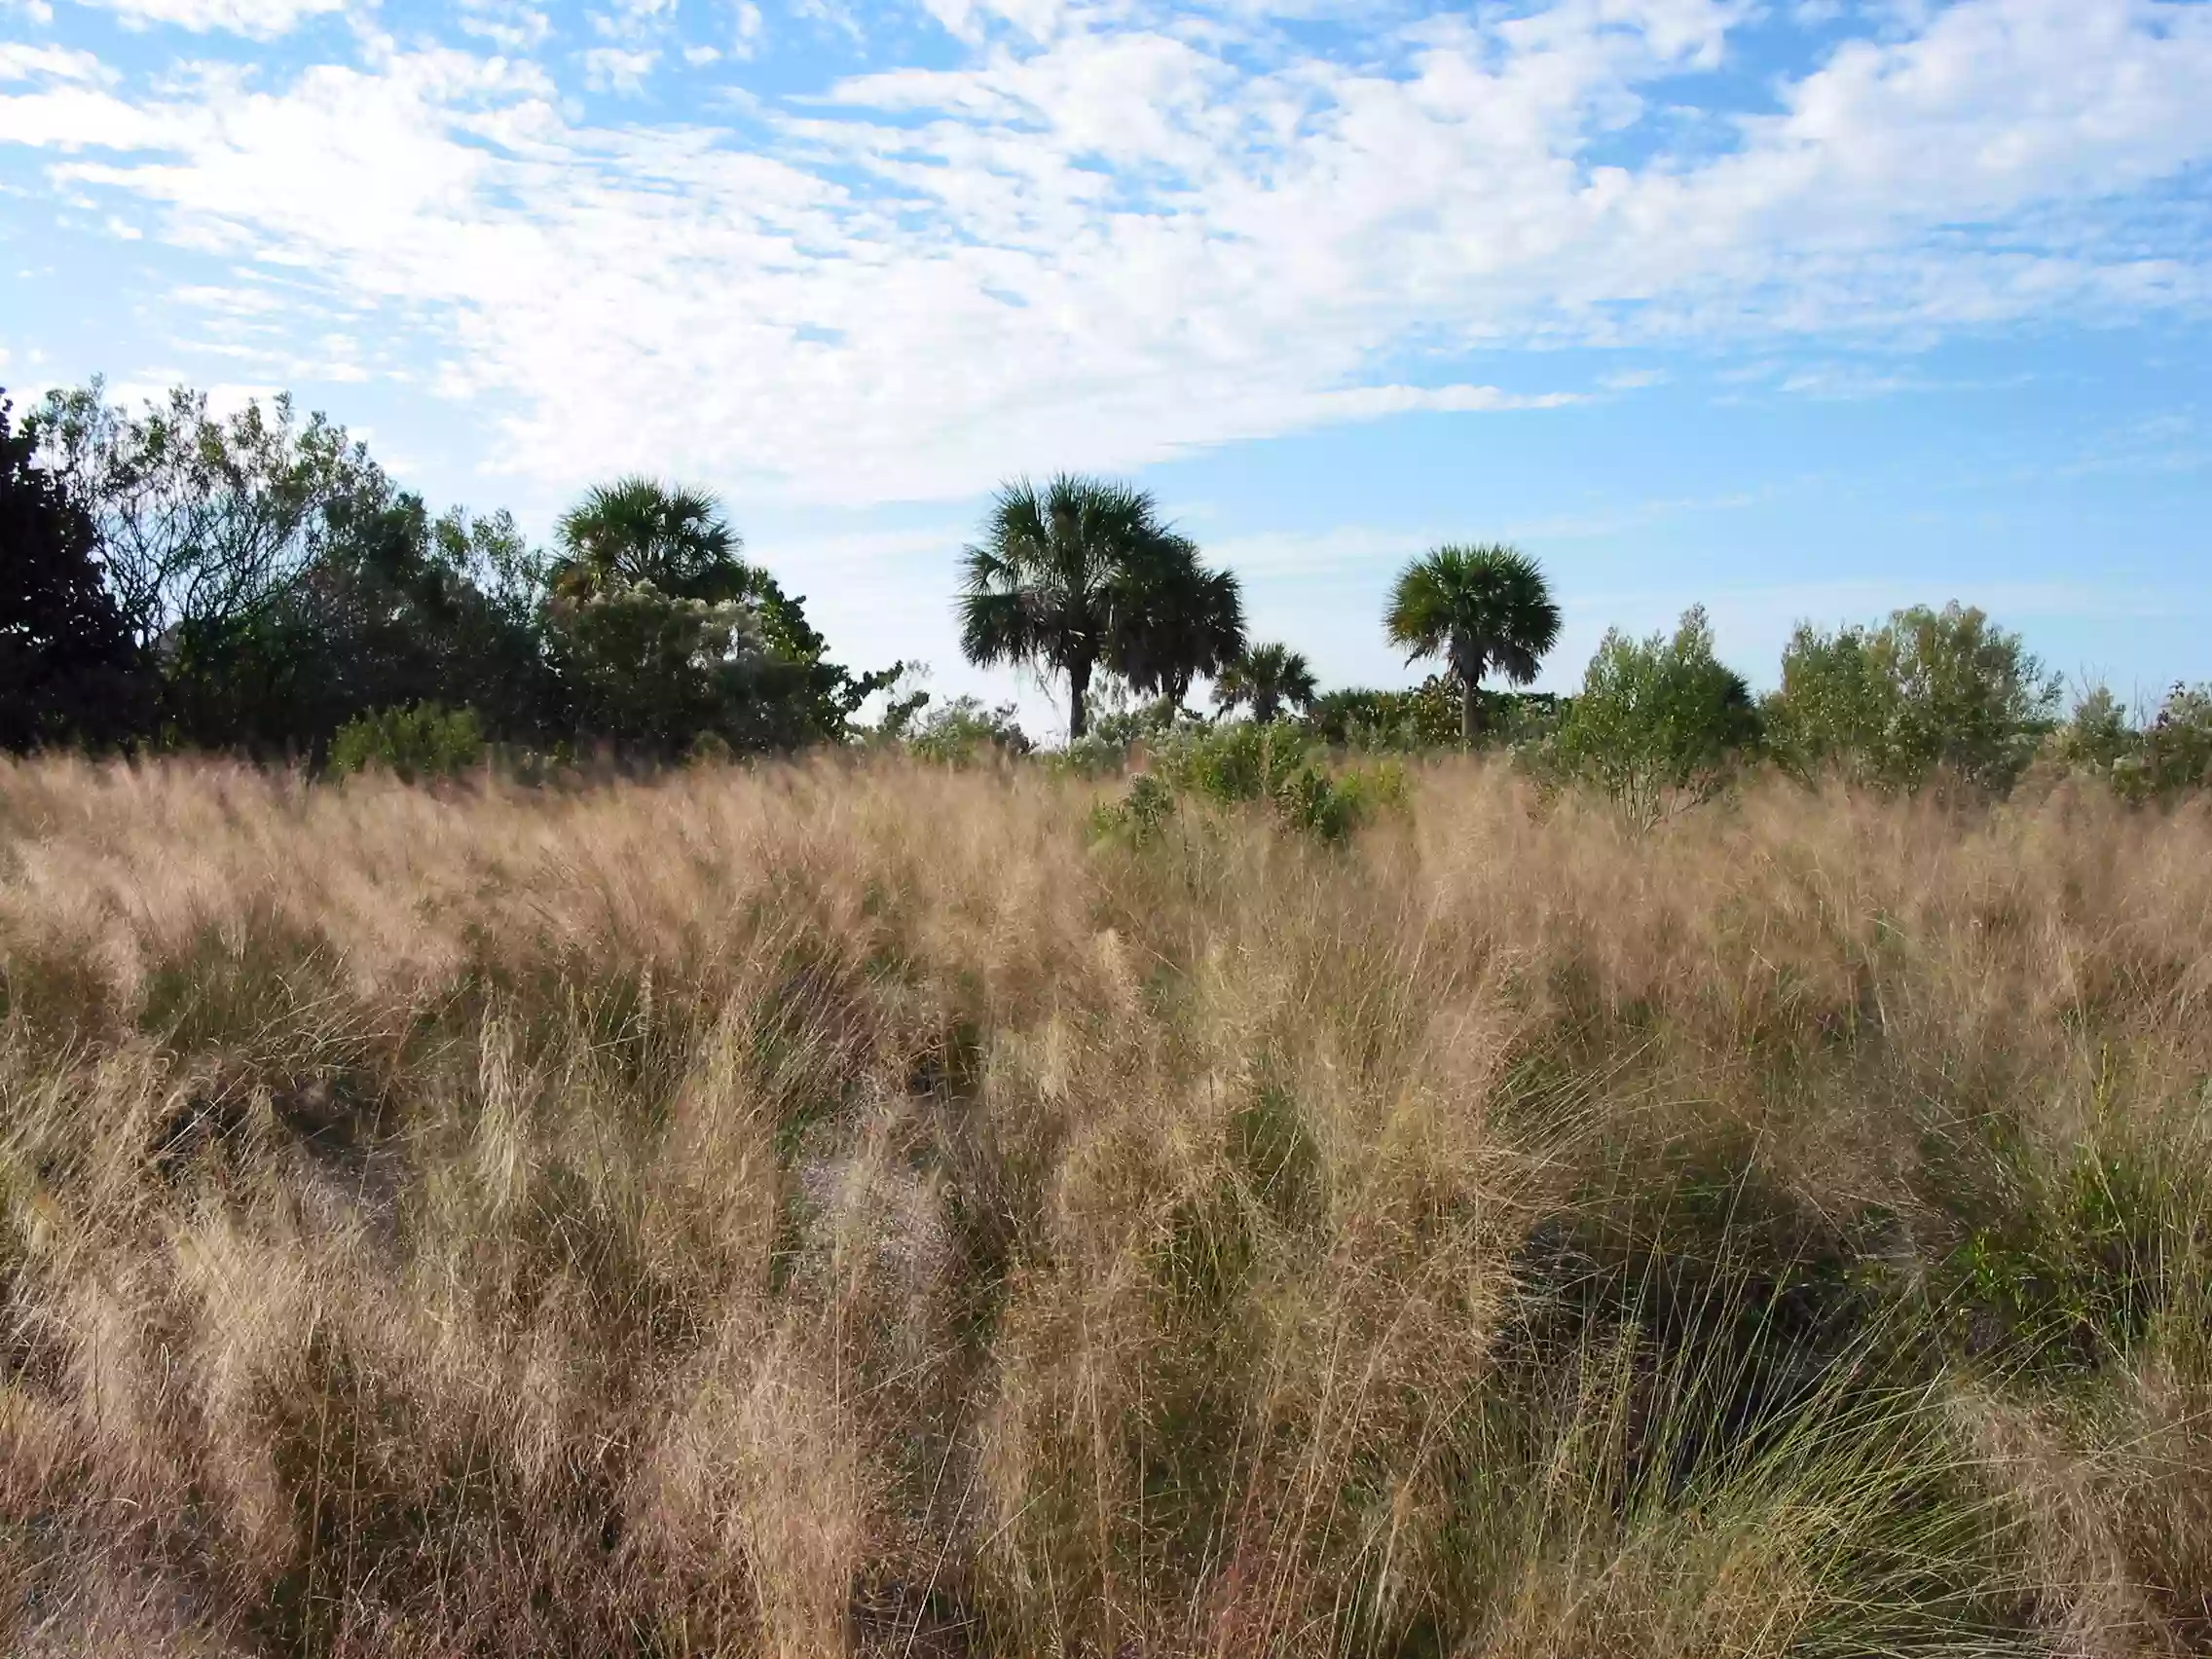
<point x="255" y="583"/>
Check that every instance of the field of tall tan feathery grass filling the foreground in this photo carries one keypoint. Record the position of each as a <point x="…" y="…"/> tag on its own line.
<point x="864" y="1211"/>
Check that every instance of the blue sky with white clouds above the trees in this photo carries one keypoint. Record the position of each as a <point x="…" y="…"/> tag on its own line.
<point x="1788" y="309"/>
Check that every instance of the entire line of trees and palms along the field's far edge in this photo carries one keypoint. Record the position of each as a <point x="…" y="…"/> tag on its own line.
<point x="258" y="585"/>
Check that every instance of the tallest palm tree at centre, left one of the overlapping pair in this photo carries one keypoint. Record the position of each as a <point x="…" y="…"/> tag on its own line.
<point x="1052" y="581"/>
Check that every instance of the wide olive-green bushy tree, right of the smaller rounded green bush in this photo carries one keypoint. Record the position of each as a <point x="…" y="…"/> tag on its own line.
<point x="1928" y="693"/>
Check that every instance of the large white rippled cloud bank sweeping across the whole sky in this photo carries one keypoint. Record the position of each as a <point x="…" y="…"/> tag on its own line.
<point x="1105" y="240"/>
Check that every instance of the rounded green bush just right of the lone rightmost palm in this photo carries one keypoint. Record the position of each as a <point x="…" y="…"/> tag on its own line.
<point x="1660" y="720"/>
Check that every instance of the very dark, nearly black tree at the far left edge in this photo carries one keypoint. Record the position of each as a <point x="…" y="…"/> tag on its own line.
<point x="70" y="671"/>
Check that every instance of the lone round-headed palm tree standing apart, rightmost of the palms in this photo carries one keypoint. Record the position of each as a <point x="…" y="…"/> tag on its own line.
<point x="1481" y="609"/>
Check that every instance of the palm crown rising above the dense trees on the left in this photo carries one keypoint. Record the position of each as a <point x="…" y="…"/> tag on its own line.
<point x="640" y="530"/>
